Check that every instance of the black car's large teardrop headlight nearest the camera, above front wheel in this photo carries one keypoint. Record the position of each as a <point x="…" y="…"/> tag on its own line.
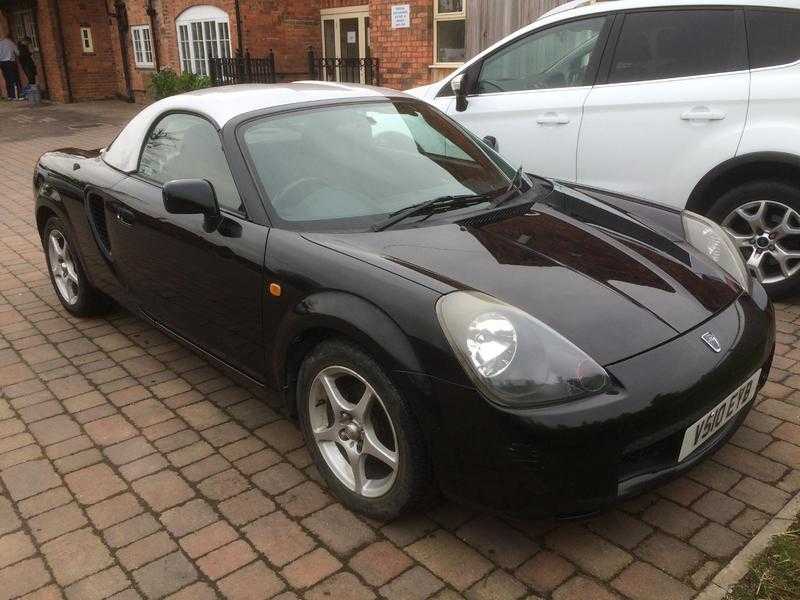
<point x="513" y="358"/>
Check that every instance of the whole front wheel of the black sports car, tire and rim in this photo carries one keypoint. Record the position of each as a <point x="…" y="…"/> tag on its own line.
<point x="385" y="493"/>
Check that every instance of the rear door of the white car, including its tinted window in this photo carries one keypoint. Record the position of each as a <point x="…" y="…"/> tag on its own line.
<point x="674" y="105"/>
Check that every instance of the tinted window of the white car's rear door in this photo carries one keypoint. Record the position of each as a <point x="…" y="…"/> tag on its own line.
<point x="678" y="43"/>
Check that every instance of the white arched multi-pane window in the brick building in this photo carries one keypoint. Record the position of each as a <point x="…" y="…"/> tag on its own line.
<point x="203" y="33"/>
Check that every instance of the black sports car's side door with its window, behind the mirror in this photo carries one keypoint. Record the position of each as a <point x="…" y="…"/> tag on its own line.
<point x="203" y="283"/>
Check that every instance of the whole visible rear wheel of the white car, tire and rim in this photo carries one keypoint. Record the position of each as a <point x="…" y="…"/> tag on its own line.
<point x="778" y="199"/>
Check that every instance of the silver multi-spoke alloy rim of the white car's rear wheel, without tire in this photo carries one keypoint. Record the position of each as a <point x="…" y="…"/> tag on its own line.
<point x="767" y="234"/>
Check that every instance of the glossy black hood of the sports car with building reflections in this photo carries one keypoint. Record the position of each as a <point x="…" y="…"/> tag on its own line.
<point x="611" y="284"/>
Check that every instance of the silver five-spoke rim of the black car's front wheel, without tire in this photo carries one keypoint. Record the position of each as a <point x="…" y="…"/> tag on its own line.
<point x="353" y="431"/>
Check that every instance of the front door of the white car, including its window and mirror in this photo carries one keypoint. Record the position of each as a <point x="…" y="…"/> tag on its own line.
<point x="529" y="95"/>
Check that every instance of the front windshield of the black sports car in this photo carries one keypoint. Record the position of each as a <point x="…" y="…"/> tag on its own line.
<point x="351" y="165"/>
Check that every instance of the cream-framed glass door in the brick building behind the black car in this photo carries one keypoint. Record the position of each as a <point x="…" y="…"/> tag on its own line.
<point x="345" y="37"/>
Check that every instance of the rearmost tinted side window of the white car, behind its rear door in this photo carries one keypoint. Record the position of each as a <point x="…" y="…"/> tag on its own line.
<point x="774" y="37"/>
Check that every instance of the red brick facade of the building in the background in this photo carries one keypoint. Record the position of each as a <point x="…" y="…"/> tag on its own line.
<point x="288" y="27"/>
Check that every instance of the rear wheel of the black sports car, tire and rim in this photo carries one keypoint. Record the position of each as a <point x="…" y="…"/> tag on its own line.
<point x="69" y="281"/>
